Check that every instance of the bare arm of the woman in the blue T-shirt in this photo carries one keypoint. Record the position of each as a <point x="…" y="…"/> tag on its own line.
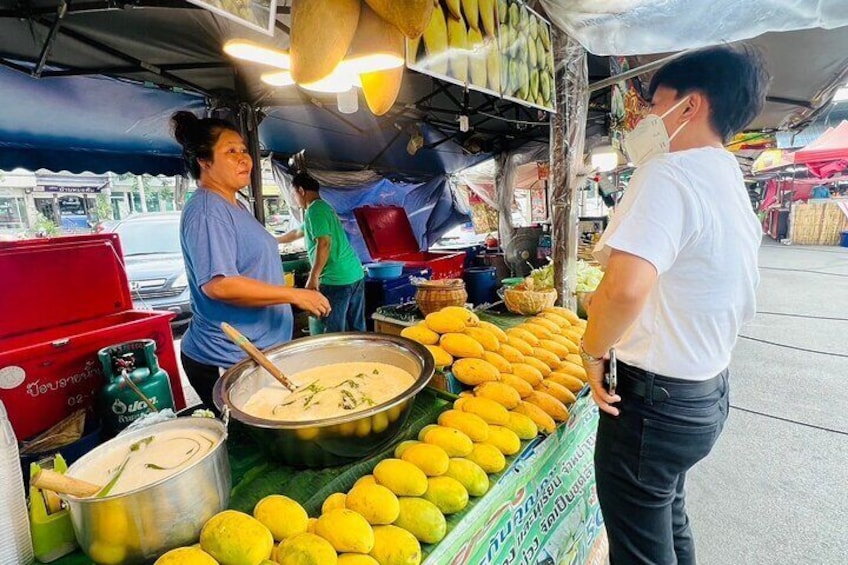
<point x="251" y="293"/>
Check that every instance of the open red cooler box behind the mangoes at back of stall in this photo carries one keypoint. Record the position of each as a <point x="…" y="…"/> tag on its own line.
<point x="389" y="237"/>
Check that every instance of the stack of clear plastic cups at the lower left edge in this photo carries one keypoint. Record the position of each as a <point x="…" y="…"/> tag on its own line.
<point x="15" y="537"/>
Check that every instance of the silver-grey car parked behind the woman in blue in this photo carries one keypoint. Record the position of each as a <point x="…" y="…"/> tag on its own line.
<point x="154" y="263"/>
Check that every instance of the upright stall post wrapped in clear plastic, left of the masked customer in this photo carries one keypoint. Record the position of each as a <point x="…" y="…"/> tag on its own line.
<point x="568" y="139"/>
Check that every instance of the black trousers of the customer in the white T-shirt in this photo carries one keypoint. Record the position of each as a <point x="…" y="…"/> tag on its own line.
<point x="641" y="460"/>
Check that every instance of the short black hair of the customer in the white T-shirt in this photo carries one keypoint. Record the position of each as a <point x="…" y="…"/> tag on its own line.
<point x="733" y="79"/>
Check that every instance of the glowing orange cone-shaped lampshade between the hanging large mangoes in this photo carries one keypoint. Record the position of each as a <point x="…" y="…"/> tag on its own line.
<point x="377" y="45"/>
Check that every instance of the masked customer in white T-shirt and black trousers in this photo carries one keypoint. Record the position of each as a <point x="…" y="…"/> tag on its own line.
<point x="681" y="276"/>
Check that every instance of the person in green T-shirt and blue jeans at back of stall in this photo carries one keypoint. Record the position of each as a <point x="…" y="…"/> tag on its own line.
<point x="336" y="270"/>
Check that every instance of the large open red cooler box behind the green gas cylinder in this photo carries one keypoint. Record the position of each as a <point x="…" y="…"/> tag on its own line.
<point x="62" y="299"/>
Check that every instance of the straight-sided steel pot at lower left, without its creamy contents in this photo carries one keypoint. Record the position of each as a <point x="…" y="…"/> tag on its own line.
<point x="139" y="525"/>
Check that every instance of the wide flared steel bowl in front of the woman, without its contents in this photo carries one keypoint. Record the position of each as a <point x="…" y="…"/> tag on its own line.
<point x="334" y="441"/>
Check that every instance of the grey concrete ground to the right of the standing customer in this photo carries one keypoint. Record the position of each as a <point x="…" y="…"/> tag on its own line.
<point x="774" y="490"/>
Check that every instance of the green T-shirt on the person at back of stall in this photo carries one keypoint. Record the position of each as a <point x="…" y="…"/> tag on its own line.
<point x="343" y="266"/>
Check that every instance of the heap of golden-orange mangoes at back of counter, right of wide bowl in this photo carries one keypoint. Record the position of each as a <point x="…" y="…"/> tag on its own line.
<point x="532" y="369"/>
